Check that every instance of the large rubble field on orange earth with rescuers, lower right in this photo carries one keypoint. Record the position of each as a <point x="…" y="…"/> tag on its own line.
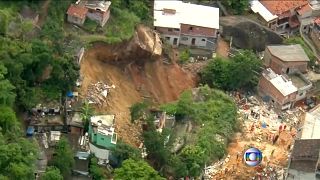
<point x="272" y="132"/>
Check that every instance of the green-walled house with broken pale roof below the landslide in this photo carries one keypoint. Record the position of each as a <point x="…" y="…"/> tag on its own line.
<point x="102" y="136"/>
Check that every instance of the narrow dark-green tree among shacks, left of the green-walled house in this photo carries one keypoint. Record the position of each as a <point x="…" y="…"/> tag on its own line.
<point x="63" y="157"/>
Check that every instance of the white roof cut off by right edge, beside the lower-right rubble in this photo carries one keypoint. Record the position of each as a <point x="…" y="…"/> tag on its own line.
<point x="311" y="126"/>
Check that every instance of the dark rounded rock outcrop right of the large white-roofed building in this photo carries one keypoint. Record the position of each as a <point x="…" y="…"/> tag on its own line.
<point x="247" y="34"/>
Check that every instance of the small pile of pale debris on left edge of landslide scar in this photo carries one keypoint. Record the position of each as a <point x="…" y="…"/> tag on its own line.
<point x="98" y="92"/>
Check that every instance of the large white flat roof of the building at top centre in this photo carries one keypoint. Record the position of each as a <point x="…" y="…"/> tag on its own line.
<point x="186" y="13"/>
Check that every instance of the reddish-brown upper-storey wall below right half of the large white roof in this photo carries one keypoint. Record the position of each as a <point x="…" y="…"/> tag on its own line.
<point x="197" y="30"/>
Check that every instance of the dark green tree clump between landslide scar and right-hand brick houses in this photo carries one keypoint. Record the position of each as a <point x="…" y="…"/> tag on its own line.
<point x="241" y="71"/>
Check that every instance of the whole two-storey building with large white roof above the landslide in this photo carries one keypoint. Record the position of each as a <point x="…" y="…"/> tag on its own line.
<point x="187" y="24"/>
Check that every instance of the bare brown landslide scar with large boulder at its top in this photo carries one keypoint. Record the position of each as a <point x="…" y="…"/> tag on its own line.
<point x="138" y="72"/>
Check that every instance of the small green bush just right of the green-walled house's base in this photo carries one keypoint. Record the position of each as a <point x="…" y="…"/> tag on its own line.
<point x="124" y="151"/>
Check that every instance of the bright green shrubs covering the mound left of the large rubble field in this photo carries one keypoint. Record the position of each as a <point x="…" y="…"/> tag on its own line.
<point x="216" y="113"/>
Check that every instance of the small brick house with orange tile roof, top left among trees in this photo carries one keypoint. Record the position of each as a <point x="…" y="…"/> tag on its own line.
<point x="98" y="11"/>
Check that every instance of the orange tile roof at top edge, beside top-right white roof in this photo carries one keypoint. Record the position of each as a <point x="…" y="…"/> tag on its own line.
<point x="279" y="6"/>
